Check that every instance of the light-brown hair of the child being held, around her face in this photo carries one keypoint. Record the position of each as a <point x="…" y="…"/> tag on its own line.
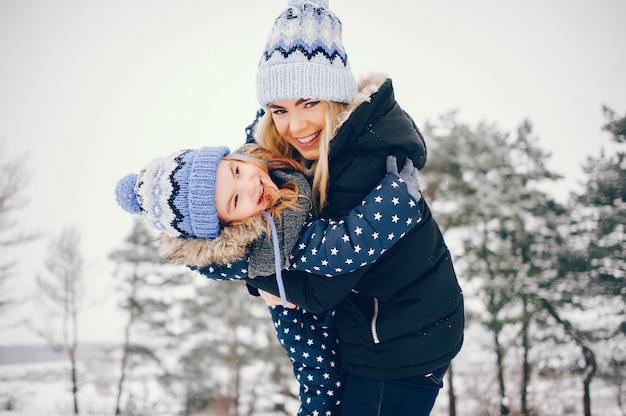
<point x="287" y="195"/>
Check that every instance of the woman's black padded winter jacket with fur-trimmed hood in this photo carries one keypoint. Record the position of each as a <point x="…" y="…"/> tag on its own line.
<point x="403" y="315"/>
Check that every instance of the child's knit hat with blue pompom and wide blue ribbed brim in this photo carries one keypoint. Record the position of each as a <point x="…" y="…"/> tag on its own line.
<point x="176" y="194"/>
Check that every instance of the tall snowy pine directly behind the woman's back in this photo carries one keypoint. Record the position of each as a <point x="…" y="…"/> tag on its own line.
<point x="487" y="187"/>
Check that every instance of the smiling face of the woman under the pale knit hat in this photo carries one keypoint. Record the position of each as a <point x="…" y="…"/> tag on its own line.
<point x="301" y="123"/>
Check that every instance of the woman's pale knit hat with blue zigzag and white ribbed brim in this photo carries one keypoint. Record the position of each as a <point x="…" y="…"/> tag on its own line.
<point x="304" y="57"/>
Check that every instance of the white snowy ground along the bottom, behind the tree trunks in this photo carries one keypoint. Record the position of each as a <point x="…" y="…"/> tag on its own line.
<point x="41" y="387"/>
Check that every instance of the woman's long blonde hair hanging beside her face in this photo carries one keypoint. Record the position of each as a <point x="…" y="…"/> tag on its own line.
<point x="267" y="137"/>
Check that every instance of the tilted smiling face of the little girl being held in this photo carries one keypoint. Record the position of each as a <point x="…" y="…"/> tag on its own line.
<point x="242" y="190"/>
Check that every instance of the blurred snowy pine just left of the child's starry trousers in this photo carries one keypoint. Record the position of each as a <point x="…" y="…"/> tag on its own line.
<point x="230" y="334"/>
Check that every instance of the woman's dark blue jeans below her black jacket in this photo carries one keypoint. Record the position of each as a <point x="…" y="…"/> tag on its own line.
<point x="411" y="396"/>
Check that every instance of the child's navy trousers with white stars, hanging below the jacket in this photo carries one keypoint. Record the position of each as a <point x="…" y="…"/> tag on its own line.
<point x="312" y="346"/>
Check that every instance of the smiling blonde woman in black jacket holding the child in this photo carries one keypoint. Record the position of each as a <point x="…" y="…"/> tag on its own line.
<point x="399" y="320"/>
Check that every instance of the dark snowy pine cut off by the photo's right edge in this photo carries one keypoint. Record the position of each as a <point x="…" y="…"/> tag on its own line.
<point x="597" y="260"/>
